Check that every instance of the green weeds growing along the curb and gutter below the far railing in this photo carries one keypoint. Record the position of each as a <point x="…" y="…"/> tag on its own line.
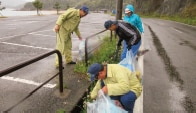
<point x="104" y="54"/>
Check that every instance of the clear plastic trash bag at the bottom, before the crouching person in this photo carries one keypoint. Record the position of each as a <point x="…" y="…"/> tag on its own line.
<point x="103" y="104"/>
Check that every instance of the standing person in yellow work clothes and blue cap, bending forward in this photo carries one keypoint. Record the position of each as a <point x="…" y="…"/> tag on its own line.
<point x="67" y="23"/>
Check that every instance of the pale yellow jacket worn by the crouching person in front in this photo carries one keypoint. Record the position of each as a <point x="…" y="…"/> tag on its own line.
<point x="119" y="81"/>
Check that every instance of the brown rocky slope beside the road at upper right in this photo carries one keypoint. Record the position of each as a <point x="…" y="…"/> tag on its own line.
<point x="185" y="8"/>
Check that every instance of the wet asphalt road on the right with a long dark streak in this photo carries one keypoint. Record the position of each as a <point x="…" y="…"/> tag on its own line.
<point x="169" y="68"/>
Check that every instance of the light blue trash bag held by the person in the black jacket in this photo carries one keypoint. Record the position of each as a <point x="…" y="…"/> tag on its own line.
<point x="129" y="61"/>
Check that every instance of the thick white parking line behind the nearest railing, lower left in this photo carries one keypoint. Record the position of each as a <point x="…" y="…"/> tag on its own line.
<point x="27" y="81"/>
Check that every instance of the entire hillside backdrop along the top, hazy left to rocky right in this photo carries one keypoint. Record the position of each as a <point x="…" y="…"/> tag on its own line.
<point x="185" y="8"/>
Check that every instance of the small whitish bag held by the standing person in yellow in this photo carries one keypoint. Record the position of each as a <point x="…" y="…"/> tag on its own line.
<point x="81" y="51"/>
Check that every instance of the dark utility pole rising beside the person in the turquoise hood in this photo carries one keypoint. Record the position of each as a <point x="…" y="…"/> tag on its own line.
<point x="119" y="6"/>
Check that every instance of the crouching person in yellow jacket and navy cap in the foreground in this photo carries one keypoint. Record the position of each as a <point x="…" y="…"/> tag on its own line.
<point x="116" y="81"/>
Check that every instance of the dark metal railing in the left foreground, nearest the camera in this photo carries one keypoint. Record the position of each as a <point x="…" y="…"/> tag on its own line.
<point x="21" y="65"/>
